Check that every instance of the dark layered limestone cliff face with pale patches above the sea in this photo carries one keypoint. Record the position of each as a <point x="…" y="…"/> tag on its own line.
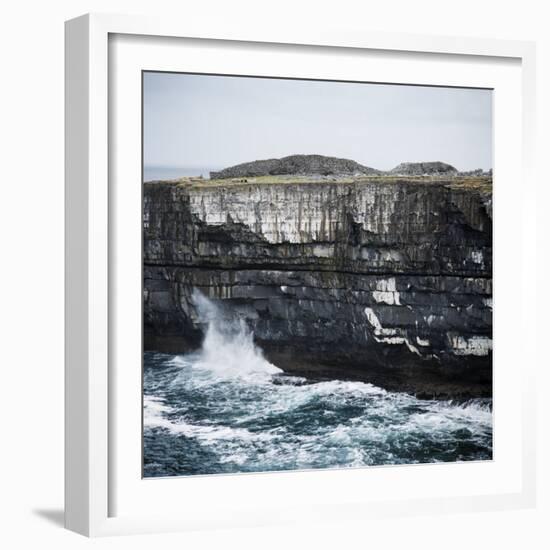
<point x="388" y="281"/>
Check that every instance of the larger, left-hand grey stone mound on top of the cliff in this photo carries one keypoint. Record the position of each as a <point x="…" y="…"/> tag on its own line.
<point x="295" y="165"/>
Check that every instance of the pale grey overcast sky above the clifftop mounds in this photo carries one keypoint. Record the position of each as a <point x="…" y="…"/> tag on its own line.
<point x="218" y="121"/>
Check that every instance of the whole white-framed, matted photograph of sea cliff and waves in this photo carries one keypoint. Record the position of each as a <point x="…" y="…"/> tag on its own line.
<point x="290" y="292"/>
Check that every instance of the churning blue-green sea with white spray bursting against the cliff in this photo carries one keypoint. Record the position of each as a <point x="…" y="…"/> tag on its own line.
<point x="226" y="409"/>
